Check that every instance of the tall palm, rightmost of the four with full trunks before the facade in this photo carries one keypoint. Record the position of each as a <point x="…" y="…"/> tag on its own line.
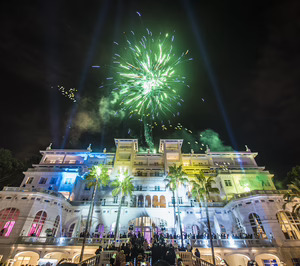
<point x="201" y="190"/>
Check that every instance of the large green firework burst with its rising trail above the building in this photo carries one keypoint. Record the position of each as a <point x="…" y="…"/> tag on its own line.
<point x="145" y="79"/>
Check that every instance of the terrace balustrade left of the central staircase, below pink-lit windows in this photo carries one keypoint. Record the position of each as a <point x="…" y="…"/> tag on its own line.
<point x="67" y="241"/>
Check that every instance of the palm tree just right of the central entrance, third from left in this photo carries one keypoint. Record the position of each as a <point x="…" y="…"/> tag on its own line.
<point x="176" y="176"/>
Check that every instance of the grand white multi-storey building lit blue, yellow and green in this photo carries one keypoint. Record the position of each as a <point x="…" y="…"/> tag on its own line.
<point x="54" y="195"/>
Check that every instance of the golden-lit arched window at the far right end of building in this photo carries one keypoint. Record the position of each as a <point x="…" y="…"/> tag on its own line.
<point x="290" y="224"/>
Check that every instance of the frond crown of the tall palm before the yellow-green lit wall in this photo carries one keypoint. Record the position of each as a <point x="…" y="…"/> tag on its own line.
<point x="202" y="187"/>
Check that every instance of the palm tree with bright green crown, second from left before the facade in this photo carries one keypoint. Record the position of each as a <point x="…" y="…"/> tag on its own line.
<point x="123" y="185"/>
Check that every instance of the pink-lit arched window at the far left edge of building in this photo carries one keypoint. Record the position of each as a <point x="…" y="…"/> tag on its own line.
<point x="8" y="218"/>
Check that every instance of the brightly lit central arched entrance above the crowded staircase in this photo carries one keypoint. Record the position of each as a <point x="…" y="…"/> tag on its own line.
<point x="147" y="226"/>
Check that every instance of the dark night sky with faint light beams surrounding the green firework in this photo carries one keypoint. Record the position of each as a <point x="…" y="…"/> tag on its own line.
<point x="246" y="66"/>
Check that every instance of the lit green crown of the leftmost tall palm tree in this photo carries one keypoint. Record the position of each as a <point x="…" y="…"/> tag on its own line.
<point x="98" y="175"/>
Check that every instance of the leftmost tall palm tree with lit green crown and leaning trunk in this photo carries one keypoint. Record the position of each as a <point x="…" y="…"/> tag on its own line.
<point x="97" y="177"/>
